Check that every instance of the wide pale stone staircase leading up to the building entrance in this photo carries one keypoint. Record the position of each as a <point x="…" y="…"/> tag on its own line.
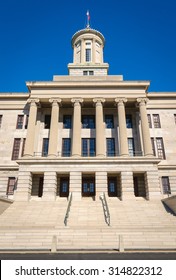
<point x="140" y="224"/>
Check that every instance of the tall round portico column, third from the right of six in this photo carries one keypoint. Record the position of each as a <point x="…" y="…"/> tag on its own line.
<point x="100" y="128"/>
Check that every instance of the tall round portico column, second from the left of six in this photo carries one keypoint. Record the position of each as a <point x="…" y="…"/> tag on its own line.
<point x="53" y="139"/>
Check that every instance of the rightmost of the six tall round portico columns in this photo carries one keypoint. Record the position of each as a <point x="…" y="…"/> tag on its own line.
<point x="147" y="145"/>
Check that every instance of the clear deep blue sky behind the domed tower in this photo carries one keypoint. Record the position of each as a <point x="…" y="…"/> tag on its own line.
<point x="35" y="39"/>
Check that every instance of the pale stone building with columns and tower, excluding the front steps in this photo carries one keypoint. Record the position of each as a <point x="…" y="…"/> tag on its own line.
<point x="87" y="133"/>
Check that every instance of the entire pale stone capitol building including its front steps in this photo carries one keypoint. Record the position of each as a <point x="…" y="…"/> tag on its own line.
<point x="86" y="159"/>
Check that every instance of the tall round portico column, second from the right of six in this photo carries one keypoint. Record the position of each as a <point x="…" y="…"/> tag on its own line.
<point x="122" y="126"/>
